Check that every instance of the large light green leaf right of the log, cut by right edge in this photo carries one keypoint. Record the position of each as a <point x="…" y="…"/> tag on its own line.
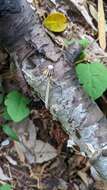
<point x="93" y="77"/>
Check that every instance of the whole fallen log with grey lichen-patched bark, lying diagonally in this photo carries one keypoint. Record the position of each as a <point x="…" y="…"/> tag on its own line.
<point x="25" y="36"/>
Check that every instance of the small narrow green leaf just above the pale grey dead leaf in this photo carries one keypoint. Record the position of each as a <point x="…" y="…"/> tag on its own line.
<point x="9" y="131"/>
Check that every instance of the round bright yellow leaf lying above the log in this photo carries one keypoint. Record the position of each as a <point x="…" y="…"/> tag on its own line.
<point x="56" y="22"/>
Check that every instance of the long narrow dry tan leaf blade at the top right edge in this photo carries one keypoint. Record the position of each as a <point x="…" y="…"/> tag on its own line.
<point x="101" y="25"/>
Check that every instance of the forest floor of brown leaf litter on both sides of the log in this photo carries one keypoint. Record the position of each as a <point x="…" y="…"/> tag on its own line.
<point x="43" y="159"/>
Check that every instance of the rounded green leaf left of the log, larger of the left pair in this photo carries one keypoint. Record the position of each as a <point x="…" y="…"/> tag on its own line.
<point x="16" y="105"/>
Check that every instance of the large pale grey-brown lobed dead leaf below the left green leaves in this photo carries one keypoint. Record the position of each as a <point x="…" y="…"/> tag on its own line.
<point x="30" y="148"/>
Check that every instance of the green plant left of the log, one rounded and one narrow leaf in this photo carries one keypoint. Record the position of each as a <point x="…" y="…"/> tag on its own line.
<point x="15" y="109"/>
